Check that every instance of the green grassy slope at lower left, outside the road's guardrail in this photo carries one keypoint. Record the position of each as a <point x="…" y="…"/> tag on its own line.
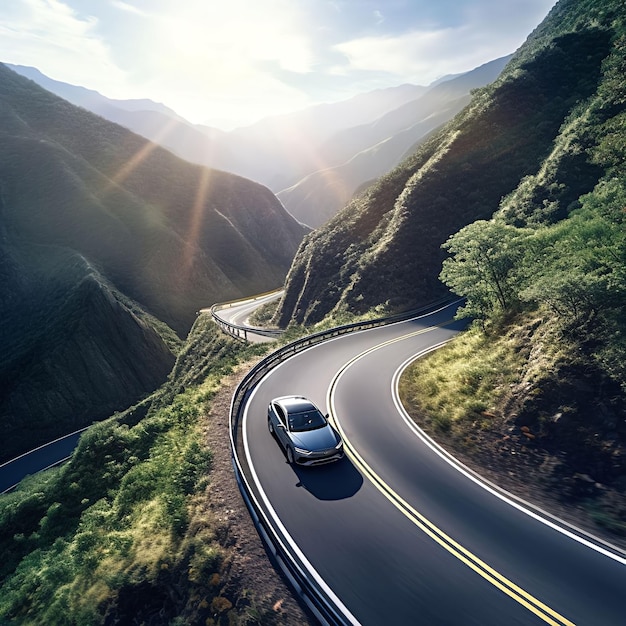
<point x="125" y="522"/>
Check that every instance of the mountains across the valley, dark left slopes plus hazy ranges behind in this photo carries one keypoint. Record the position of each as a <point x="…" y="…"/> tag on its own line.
<point x="110" y="244"/>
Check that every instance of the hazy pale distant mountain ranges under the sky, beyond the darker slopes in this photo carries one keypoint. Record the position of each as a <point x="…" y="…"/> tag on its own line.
<point x="314" y="159"/>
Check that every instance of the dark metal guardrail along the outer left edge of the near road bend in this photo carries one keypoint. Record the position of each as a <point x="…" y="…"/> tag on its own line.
<point x="317" y="598"/>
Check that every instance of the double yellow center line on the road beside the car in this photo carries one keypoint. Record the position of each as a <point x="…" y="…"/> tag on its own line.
<point x="534" y="605"/>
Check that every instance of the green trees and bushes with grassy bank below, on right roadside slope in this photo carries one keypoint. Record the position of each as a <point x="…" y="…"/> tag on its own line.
<point x="545" y="280"/>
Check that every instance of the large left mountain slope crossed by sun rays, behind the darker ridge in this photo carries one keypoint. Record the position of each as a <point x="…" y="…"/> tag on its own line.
<point x="162" y="229"/>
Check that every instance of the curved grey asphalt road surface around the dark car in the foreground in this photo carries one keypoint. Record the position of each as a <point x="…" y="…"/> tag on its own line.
<point x="397" y="533"/>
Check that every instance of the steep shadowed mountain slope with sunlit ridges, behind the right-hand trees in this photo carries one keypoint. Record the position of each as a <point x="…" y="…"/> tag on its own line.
<point x="385" y="247"/>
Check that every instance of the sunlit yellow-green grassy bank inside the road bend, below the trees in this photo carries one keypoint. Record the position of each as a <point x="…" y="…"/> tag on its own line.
<point x="528" y="409"/>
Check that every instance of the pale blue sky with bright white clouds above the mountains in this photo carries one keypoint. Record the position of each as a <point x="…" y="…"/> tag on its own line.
<point x="228" y="63"/>
